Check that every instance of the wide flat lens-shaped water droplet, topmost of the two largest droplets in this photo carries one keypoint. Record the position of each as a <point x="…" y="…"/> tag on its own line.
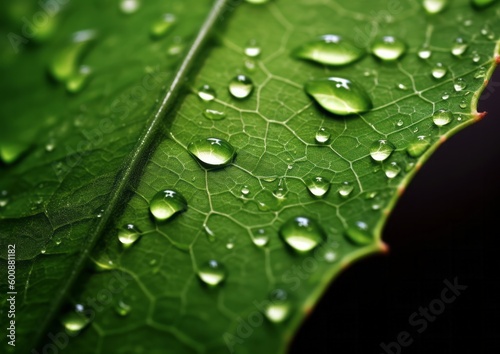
<point x="330" y="49"/>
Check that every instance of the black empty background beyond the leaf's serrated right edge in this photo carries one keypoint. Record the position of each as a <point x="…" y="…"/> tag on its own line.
<point x="446" y="225"/>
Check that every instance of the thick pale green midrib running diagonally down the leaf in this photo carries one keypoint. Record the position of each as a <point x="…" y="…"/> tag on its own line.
<point x="133" y="164"/>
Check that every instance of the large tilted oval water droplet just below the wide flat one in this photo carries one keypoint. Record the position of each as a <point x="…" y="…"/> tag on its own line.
<point x="339" y="96"/>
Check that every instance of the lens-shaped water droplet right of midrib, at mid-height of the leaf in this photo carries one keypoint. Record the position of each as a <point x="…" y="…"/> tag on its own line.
<point x="212" y="152"/>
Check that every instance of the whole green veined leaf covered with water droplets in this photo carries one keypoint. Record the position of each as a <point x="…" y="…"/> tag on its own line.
<point x="85" y="154"/>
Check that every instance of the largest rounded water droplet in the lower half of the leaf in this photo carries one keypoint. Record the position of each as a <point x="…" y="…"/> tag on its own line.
<point x="302" y="233"/>
